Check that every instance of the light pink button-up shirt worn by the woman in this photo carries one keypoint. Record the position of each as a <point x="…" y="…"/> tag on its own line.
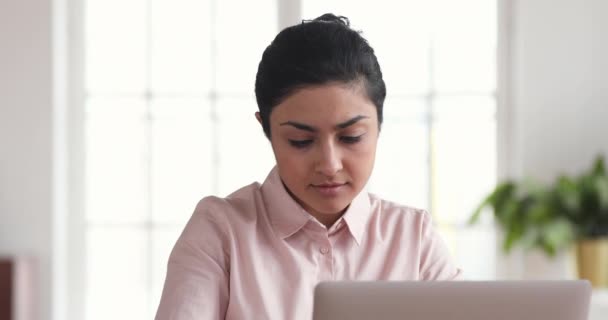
<point x="257" y="254"/>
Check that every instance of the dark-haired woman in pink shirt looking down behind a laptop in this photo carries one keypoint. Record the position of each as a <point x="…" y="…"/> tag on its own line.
<point x="258" y="253"/>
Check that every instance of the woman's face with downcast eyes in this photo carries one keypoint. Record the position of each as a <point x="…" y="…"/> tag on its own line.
<point x="324" y="141"/>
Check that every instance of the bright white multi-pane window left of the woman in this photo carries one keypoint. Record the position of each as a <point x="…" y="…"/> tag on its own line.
<point x="169" y="98"/>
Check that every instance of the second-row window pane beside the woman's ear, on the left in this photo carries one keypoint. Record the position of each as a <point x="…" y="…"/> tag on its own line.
<point x="245" y="154"/>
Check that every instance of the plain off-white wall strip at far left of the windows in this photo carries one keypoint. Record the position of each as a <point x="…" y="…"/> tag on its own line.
<point x="26" y="113"/>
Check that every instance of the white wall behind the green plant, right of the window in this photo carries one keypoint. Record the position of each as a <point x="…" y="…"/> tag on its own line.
<point x="556" y="99"/>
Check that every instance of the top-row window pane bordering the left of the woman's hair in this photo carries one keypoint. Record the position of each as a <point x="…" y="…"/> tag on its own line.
<point x="244" y="29"/>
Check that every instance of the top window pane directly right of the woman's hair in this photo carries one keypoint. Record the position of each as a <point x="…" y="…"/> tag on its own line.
<point x="404" y="55"/>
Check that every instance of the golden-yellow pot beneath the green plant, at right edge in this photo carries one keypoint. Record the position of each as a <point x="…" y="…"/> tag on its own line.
<point x="592" y="261"/>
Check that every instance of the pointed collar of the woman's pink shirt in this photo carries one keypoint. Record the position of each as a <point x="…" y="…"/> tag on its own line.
<point x="288" y="217"/>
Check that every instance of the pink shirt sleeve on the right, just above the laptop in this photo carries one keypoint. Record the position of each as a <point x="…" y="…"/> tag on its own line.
<point x="436" y="262"/>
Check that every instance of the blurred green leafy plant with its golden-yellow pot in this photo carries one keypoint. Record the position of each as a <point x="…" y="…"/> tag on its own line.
<point x="553" y="218"/>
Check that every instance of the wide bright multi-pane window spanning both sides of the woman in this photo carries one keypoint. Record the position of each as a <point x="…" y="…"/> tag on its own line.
<point x="169" y="108"/>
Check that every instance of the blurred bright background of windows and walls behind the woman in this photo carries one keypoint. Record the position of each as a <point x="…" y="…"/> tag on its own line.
<point x="116" y="117"/>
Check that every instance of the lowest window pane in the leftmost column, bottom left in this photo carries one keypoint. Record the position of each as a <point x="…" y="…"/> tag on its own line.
<point x="116" y="273"/>
